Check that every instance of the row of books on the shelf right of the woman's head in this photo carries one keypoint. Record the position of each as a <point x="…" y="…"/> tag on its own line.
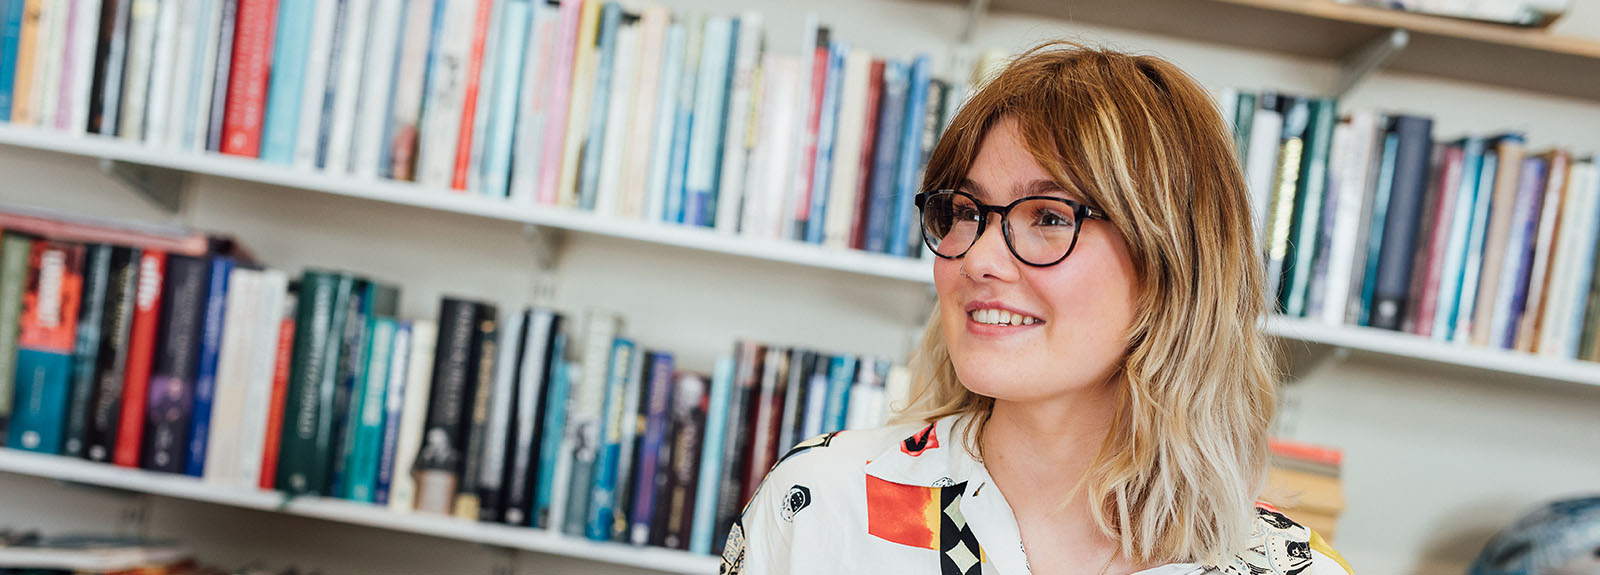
<point x="1369" y="220"/>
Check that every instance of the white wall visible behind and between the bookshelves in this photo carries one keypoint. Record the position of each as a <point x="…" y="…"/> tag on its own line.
<point x="1436" y="459"/>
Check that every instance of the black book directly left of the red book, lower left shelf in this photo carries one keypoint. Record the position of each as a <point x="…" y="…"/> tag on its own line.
<point x="113" y="358"/>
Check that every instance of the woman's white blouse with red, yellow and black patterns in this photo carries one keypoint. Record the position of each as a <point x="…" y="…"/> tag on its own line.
<point x="844" y="504"/>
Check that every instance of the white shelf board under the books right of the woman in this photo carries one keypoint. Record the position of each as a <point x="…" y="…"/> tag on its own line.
<point x="1425" y="350"/>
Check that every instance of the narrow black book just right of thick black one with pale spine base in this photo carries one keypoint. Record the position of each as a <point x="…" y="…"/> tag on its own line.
<point x="486" y="347"/>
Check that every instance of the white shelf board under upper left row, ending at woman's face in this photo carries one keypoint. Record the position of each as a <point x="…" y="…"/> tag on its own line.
<point x="399" y="193"/>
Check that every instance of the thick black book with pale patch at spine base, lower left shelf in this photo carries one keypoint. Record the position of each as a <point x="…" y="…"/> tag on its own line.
<point x="439" y="460"/>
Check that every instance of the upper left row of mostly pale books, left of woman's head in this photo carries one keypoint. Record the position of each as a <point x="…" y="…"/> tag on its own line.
<point x="575" y="103"/>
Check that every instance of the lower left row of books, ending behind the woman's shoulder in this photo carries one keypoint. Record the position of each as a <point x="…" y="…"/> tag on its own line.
<point x="175" y="352"/>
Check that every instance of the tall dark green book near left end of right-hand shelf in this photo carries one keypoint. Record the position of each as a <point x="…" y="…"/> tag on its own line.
<point x="1308" y="215"/>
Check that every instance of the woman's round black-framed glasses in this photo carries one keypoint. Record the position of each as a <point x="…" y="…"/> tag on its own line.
<point x="1039" y="230"/>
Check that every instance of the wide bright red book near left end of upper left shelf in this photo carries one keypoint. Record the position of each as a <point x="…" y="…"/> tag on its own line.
<point x="247" y="84"/>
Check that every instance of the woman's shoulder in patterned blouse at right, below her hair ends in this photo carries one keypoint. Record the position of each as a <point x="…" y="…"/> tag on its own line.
<point x="1279" y="545"/>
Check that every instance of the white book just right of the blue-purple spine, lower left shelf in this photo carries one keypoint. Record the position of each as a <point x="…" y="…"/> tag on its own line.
<point x="233" y="377"/>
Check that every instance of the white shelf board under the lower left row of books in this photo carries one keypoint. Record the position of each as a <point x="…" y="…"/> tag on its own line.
<point x="185" y="488"/>
